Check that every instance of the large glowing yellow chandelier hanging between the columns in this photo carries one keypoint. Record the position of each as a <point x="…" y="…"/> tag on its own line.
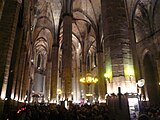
<point x="88" y="79"/>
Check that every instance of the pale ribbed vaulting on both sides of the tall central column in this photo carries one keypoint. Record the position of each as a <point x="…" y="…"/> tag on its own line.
<point x="48" y="24"/>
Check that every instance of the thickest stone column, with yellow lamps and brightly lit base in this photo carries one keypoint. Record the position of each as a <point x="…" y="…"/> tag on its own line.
<point x="116" y="33"/>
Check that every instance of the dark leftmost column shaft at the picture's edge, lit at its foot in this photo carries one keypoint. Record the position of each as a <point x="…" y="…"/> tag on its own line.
<point x="8" y="26"/>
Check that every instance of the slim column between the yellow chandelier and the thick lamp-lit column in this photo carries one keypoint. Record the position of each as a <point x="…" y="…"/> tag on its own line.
<point x="101" y="82"/>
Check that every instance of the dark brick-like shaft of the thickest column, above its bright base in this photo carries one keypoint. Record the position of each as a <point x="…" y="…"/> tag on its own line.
<point x="115" y="34"/>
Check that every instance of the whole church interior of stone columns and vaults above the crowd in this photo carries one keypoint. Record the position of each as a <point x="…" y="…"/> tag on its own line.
<point x="79" y="51"/>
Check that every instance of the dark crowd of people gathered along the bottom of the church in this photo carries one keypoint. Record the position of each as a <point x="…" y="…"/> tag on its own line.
<point x="75" y="112"/>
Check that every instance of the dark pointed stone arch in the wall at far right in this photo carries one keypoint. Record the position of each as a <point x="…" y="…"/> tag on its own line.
<point x="150" y="78"/>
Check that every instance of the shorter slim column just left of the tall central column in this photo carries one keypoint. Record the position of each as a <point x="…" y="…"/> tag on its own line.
<point x="54" y="73"/>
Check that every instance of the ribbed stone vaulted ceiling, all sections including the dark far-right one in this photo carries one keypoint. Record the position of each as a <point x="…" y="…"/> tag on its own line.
<point x="47" y="21"/>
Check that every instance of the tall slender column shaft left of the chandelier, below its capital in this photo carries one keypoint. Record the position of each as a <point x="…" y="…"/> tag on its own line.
<point x="67" y="55"/>
